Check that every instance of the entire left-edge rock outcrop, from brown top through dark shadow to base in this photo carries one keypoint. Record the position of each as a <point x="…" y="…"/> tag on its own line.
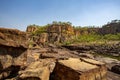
<point x="12" y="51"/>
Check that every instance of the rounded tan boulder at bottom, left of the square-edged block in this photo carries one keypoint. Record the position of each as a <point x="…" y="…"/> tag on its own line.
<point x="35" y="71"/>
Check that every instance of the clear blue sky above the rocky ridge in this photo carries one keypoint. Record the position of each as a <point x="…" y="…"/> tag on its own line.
<point x="20" y="13"/>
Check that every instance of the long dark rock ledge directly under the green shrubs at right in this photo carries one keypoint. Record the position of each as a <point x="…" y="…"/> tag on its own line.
<point x="105" y="49"/>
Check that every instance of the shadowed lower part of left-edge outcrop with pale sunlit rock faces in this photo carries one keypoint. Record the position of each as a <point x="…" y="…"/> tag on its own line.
<point x="10" y="56"/>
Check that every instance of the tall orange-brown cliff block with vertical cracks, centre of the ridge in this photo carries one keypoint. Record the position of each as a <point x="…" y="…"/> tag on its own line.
<point x="60" y="33"/>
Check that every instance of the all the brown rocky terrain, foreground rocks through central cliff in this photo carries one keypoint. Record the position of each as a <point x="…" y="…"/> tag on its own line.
<point x="26" y="56"/>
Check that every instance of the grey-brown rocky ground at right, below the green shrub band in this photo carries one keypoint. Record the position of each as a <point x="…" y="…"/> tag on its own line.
<point x="89" y="51"/>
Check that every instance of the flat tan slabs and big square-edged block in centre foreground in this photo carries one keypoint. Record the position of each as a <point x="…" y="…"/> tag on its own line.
<point x="74" y="67"/>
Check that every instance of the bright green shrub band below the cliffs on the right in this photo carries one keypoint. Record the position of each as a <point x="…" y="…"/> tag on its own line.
<point x="94" y="38"/>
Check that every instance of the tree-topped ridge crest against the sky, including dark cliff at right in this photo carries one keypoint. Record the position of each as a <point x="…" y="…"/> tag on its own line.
<point x="112" y="27"/>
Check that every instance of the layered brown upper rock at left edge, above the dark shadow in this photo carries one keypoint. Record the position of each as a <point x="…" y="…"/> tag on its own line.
<point x="12" y="37"/>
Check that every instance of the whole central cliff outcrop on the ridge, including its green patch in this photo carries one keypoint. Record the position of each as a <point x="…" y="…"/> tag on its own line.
<point x="54" y="33"/>
